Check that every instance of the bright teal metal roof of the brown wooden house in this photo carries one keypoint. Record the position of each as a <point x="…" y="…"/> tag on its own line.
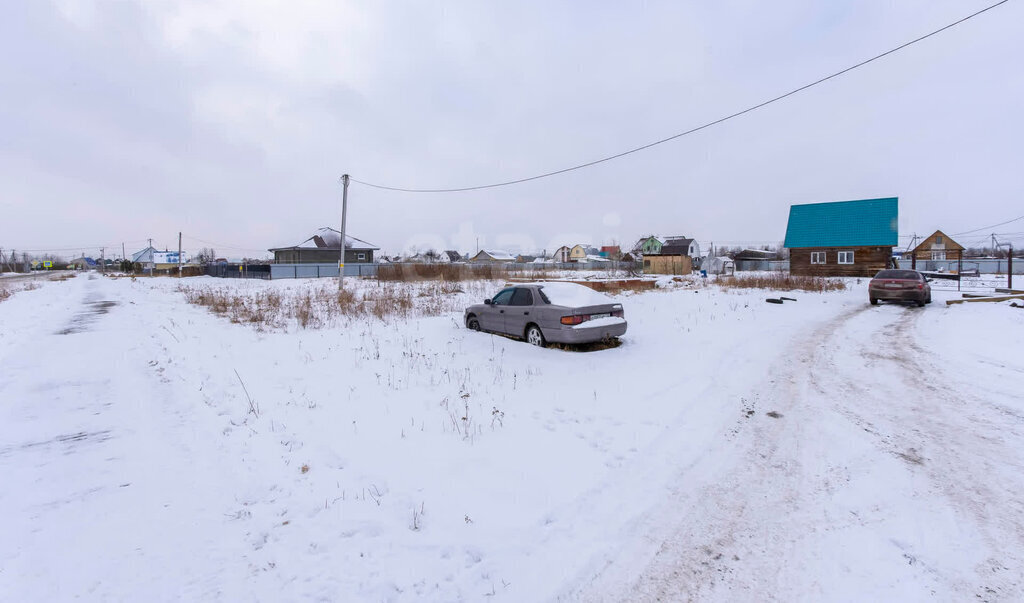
<point x="844" y="224"/>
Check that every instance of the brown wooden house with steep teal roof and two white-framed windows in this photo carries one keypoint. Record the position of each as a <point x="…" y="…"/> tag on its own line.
<point x="842" y="239"/>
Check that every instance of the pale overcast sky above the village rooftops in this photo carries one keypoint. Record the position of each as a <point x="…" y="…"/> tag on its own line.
<point x="232" y="121"/>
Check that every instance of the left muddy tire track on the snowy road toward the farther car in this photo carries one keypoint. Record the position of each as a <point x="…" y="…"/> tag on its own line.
<point x="715" y="507"/>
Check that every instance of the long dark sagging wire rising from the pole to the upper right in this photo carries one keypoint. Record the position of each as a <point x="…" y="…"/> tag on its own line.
<point x="693" y="131"/>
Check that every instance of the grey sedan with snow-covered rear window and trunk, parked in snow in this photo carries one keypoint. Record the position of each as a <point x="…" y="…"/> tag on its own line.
<point x="542" y="313"/>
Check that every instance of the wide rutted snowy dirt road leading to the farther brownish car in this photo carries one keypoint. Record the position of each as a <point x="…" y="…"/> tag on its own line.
<point x="865" y="467"/>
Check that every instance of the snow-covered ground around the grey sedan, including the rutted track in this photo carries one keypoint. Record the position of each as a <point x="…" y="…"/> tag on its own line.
<point x="730" y="450"/>
